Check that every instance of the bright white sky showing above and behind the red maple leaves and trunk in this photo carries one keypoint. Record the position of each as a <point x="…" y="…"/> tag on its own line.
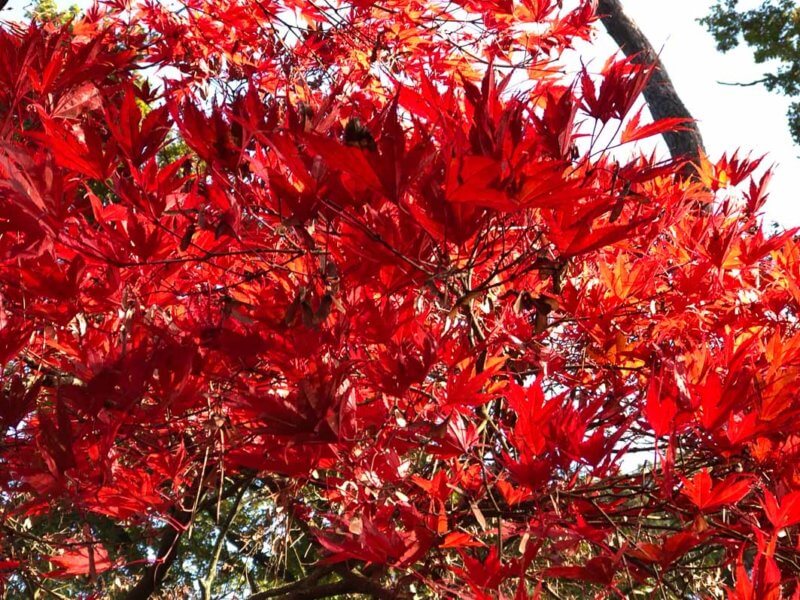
<point x="746" y="118"/>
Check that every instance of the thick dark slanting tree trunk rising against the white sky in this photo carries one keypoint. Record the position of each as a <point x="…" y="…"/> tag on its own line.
<point x="660" y="95"/>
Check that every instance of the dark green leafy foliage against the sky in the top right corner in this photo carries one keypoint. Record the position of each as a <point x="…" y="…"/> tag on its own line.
<point x="772" y="30"/>
